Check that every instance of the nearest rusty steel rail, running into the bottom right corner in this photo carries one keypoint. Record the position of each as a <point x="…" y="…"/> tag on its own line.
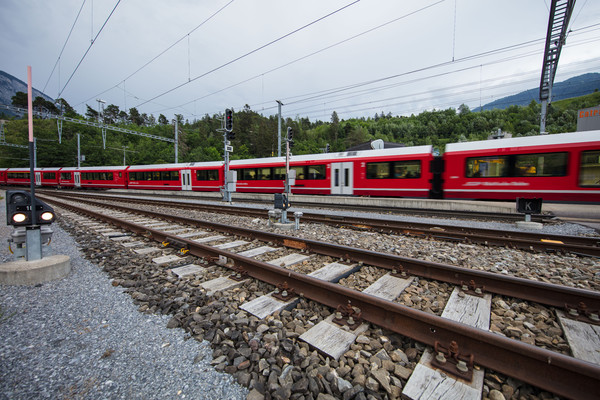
<point x="555" y="372"/>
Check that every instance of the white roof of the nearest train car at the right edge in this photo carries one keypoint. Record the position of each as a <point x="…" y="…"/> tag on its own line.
<point x="527" y="141"/>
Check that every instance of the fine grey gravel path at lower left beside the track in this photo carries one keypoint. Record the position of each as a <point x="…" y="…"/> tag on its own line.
<point x="82" y="338"/>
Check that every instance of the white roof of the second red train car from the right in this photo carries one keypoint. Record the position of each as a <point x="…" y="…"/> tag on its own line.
<point x="339" y="156"/>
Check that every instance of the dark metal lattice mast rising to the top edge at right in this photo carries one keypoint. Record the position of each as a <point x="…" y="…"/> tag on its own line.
<point x="560" y="14"/>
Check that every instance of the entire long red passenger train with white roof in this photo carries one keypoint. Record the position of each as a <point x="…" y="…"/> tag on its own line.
<point x="559" y="167"/>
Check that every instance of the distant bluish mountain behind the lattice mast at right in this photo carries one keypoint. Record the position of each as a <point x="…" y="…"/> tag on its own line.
<point x="574" y="87"/>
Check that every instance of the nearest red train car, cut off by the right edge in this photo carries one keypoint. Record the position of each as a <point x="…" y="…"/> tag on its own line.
<point x="558" y="167"/>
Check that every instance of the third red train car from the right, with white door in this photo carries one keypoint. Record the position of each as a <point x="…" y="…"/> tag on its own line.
<point x="206" y="176"/>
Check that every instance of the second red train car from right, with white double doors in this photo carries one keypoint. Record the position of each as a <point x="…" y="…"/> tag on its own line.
<point x="403" y="171"/>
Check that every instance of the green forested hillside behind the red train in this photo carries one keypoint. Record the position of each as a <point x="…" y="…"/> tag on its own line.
<point x="256" y="135"/>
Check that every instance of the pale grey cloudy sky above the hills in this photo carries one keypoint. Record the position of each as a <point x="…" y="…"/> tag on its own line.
<point x="358" y="58"/>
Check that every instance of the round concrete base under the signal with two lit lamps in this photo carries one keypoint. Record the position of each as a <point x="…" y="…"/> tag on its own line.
<point x="33" y="272"/>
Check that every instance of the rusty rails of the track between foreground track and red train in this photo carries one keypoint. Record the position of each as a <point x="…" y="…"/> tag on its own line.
<point x="587" y="246"/>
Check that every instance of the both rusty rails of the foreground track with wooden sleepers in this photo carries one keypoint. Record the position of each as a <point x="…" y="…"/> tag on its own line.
<point x="549" y="370"/>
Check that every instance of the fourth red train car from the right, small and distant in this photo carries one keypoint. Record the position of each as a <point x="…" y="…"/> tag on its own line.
<point x="95" y="177"/>
